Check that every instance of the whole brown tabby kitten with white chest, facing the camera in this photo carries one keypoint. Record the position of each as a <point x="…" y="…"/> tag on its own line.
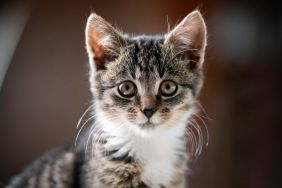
<point x="144" y="91"/>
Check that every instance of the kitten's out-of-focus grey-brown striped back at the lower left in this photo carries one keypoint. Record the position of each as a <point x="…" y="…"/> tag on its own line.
<point x="56" y="165"/>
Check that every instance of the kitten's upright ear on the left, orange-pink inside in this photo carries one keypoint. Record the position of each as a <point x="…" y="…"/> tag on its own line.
<point x="103" y="41"/>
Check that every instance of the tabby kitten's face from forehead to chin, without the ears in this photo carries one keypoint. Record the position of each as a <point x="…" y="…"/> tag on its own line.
<point x="146" y="86"/>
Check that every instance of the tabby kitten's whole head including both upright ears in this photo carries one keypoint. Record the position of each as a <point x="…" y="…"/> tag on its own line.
<point x="146" y="82"/>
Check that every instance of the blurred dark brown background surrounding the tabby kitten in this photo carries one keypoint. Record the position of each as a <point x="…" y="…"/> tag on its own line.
<point x="44" y="84"/>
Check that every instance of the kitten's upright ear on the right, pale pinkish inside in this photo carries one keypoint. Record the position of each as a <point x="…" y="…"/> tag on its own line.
<point x="189" y="38"/>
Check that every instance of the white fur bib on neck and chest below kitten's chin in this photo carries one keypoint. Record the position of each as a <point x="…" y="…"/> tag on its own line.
<point x="158" y="152"/>
